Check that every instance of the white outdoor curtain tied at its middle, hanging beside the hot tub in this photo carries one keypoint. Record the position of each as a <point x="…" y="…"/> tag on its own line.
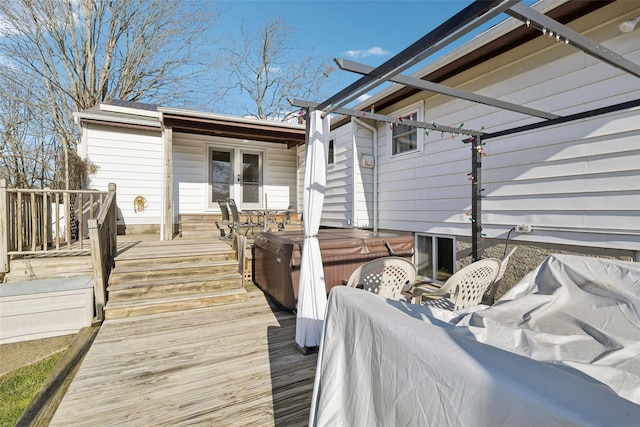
<point x="312" y="297"/>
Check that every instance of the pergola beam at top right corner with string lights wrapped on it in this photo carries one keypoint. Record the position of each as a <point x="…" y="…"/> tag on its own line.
<point x="588" y="46"/>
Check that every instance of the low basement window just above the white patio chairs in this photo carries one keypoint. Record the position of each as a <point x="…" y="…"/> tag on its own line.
<point x="435" y="257"/>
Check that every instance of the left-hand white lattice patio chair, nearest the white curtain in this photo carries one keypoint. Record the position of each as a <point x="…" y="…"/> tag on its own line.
<point x="387" y="276"/>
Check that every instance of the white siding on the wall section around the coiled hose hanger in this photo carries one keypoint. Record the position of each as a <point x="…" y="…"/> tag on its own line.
<point x="132" y="159"/>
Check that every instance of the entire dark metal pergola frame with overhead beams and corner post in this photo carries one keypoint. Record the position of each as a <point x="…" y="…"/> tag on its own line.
<point x="469" y="18"/>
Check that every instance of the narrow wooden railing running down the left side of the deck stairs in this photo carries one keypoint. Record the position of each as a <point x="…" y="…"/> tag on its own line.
<point x="102" y="235"/>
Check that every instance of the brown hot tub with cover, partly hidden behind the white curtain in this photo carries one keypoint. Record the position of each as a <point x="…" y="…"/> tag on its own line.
<point x="276" y="258"/>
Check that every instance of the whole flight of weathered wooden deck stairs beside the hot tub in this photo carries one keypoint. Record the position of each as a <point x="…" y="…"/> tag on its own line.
<point x="182" y="274"/>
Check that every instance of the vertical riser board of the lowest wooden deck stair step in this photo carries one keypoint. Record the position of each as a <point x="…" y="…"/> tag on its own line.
<point x="172" y="306"/>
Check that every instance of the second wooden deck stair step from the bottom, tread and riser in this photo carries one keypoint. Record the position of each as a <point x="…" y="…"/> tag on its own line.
<point x="169" y="286"/>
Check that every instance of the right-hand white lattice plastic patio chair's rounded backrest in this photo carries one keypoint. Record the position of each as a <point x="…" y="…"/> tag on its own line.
<point x="471" y="282"/>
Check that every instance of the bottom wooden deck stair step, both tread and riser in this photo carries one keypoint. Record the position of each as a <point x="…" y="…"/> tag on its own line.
<point x="116" y="310"/>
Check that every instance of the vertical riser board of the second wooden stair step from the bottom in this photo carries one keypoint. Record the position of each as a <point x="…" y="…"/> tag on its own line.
<point x="191" y="288"/>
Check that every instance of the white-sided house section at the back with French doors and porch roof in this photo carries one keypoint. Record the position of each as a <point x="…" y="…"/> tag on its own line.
<point x="167" y="163"/>
